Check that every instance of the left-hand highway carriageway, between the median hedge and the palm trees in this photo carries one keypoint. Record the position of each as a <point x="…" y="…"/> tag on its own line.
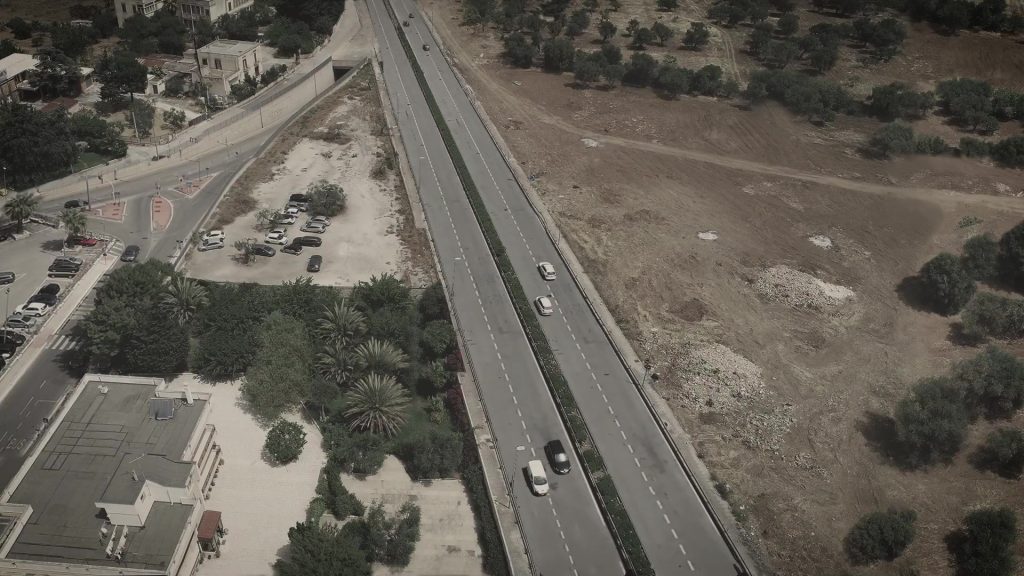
<point x="565" y="530"/>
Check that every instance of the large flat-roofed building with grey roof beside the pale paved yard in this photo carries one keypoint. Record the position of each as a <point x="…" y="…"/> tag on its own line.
<point x="116" y="486"/>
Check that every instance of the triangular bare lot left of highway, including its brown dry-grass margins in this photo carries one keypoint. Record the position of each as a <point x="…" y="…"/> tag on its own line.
<point x="343" y="142"/>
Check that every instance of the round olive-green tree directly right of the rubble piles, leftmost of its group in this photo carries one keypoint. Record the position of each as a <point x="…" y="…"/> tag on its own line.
<point x="931" y="424"/>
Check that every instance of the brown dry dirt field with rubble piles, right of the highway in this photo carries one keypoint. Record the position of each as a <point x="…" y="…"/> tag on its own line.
<point x="779" y="332"/>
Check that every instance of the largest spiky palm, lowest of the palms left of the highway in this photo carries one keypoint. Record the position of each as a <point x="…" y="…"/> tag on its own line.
<point x="377" y="404"/>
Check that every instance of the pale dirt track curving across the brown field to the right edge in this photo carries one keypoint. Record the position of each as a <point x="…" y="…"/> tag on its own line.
<point x="535" y="112"/>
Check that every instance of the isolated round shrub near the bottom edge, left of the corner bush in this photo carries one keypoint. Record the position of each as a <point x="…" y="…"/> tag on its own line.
<point x="880" y="537"/>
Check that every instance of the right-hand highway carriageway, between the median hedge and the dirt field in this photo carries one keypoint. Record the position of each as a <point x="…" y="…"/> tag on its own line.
<point x="674" y="526"/>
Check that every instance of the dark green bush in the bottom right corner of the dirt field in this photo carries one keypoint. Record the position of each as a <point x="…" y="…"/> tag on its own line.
<point x="986" y="546"/>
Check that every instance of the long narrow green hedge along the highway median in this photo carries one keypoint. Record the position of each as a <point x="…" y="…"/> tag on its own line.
<point x="608" y="496"/>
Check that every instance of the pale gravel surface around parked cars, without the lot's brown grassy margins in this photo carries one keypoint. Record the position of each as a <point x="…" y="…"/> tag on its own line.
<point x="361" y="242"/>
